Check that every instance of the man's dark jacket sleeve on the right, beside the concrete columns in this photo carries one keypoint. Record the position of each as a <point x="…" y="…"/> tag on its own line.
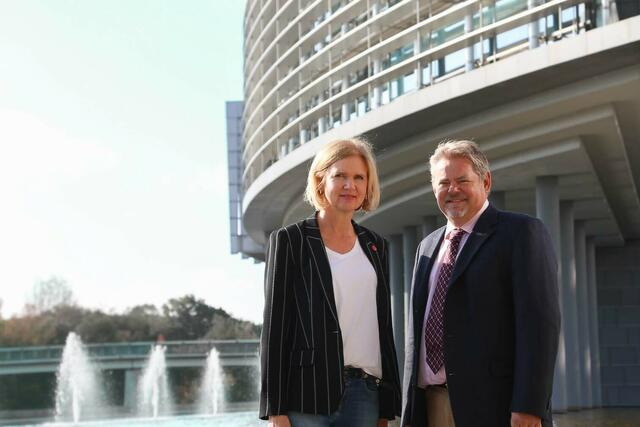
<point x="537" y="318"/>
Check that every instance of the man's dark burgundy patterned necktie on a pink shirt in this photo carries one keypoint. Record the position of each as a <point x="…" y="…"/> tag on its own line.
<point x="434" y="327"/>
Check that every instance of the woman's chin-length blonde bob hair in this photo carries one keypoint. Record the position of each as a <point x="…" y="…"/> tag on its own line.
<point x="333" y="152"/>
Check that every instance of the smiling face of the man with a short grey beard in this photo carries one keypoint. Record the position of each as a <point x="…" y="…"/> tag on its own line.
<point x="460" y="192"/>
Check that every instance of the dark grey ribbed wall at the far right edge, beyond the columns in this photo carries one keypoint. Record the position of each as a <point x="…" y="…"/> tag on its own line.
<point x="618" y="272"/>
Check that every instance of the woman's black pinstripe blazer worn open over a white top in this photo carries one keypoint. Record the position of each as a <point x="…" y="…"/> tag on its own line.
<point x="301" y="346"/>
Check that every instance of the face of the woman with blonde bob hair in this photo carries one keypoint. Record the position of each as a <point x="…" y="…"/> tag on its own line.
<point x="345" y="184"/>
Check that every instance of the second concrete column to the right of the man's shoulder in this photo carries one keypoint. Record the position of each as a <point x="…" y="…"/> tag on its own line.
<point x="569" y="305"/>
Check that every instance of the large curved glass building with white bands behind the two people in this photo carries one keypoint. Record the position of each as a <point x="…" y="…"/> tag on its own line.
<point x="550" y="90"/>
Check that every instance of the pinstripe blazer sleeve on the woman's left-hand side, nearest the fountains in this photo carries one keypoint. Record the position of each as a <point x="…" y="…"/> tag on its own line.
<point x="274" y="343"/>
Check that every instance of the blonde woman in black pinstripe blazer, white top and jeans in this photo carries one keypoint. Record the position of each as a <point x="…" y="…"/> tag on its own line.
<point x="327" y="350"/>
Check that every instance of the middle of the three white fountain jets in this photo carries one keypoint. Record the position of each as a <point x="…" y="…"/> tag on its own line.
<point x="154" y="395"/>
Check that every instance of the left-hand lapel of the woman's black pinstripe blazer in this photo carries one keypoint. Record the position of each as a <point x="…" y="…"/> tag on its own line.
<point x="319" y="262"/>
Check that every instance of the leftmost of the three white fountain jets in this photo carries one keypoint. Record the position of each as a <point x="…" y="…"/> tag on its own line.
<point x="77" y="383"/>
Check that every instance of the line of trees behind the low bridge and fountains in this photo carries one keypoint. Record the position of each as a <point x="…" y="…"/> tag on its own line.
<point x="52" y="313"/>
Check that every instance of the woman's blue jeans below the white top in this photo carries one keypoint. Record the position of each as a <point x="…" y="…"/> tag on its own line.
<point x="358" y="408"/>
